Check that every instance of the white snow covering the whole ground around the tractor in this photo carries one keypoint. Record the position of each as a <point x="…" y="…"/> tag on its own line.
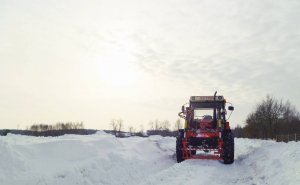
<point x="103" y="159"/>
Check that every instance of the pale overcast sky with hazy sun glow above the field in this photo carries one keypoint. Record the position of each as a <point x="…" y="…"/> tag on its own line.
<point x="136" y="60"/>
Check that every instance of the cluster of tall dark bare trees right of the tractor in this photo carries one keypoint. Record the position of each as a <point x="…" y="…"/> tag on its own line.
<point x="270" y="118"/>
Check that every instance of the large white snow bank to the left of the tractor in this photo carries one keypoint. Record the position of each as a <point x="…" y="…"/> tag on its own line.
<point x="72" y="159"/>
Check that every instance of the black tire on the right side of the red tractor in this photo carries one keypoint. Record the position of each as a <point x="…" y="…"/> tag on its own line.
<point x="228" y="148"/>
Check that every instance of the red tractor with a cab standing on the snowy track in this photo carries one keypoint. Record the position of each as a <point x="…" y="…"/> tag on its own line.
<point x="206" y="134"/>
